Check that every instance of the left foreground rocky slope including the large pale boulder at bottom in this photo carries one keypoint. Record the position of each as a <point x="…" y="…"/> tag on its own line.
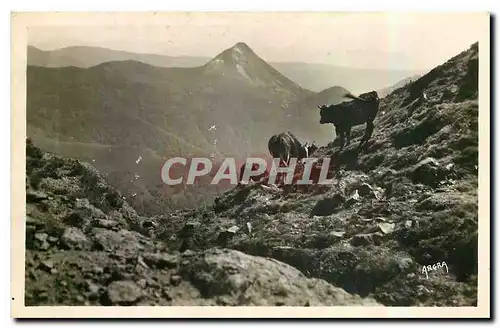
<point x="86" y="246"/>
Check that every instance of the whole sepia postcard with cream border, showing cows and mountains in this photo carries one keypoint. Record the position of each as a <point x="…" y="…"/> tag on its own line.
<point x="251" y="161"/>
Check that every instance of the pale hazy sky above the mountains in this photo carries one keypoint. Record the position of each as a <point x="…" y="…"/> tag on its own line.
<point x="376" y="40"/>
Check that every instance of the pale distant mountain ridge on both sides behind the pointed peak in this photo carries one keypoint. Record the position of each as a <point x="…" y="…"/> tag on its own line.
<point x="312" y="76"/>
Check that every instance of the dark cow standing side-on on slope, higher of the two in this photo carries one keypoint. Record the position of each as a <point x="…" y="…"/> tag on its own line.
<point x="347" y="114"/>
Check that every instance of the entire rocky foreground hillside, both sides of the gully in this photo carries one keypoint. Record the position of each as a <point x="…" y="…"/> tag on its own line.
<point x="406" y="200"/>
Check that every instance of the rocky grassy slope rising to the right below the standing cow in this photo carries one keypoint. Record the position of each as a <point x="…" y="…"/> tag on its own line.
<point x="407" y="200"/>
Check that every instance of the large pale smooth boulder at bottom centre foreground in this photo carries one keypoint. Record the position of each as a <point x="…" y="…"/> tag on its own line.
<point x="220" y="273"/>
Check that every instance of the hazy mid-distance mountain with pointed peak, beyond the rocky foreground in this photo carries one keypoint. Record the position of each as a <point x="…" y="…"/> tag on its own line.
<point x="228" y="107"/>
